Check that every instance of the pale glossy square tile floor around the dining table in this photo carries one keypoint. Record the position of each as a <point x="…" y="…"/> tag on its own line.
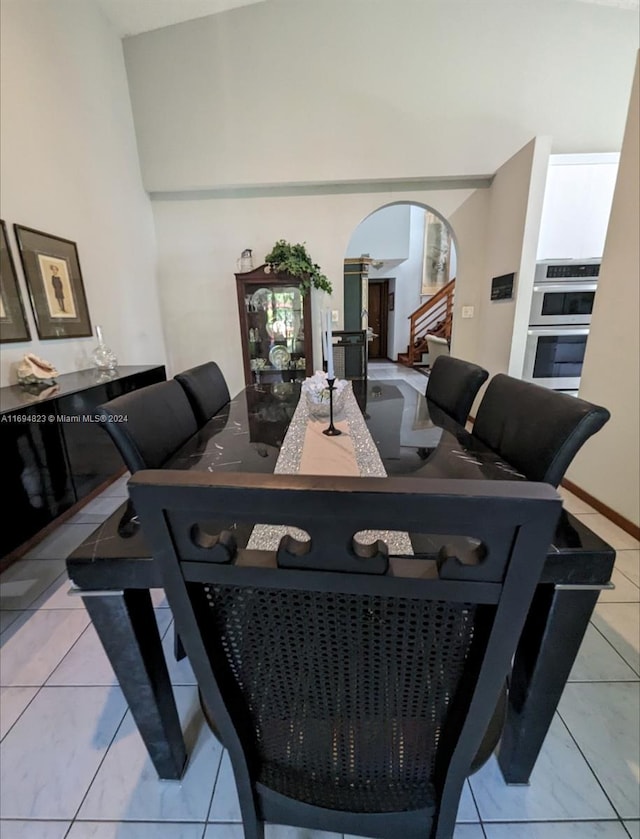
<point x="72" y="765"/>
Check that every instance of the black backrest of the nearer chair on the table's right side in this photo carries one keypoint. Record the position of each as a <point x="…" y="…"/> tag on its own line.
<point x="537" y="430"/>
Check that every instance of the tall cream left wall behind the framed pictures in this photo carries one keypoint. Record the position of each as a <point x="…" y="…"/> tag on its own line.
<point x="69" y="167"/>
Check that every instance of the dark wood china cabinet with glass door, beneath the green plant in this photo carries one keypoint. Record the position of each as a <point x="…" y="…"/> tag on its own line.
<point x="275" y="327"/>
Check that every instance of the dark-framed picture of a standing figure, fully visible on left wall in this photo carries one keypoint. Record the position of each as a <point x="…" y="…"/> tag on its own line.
<point x="54" y="280"/>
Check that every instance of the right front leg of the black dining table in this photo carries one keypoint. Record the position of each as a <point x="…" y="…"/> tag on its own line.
<point x="550" y="641"/>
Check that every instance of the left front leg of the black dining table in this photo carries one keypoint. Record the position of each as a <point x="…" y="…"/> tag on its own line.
<point x="126" y="625"/>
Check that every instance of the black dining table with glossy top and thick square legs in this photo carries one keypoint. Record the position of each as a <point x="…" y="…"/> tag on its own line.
<point x="113" y="569"/>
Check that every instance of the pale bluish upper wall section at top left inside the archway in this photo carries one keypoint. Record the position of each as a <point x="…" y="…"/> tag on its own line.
<point x="383" y="235"/>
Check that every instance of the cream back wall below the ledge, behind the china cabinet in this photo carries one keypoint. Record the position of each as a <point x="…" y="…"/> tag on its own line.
<point x="199" y="242"/>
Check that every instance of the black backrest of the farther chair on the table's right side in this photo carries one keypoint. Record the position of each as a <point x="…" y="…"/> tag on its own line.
<point x="453" y="385"/>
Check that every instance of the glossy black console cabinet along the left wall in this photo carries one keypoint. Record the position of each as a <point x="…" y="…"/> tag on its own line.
<point x="53" y="453"/>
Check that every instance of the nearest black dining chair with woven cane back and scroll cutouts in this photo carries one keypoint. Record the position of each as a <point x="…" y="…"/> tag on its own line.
<point x="352" y="689"/>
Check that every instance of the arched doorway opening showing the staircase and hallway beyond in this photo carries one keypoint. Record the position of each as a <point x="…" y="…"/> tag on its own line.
<point x="398" y="258"/>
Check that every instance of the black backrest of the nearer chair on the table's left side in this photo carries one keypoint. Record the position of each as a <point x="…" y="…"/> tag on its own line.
<point x="149" y="425"/>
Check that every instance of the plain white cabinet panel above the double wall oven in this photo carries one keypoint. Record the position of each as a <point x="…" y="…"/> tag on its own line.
<point x="577" y="203"/>
